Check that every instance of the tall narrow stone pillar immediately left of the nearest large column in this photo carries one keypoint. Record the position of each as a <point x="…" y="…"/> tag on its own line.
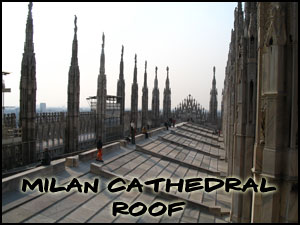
<point x="239" y="206"/>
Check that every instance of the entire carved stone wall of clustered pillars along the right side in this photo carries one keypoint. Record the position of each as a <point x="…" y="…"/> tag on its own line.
<point x="260" y="109"/>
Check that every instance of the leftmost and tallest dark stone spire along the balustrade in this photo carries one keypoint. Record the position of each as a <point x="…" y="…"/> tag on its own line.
<point x="28" y="94"/>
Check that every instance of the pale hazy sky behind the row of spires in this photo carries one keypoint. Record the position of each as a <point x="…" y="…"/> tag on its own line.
<point x="190" y="38"/>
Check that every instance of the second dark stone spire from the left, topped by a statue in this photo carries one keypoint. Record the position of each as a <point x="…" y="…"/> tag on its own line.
<point x="72" y="126"/>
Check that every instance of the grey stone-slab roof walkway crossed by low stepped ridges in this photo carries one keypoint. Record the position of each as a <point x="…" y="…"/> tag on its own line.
<point x="156" y="157"/>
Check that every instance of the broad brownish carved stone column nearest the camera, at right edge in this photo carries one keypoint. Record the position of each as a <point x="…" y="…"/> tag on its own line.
<point x="274" y="157"/>
